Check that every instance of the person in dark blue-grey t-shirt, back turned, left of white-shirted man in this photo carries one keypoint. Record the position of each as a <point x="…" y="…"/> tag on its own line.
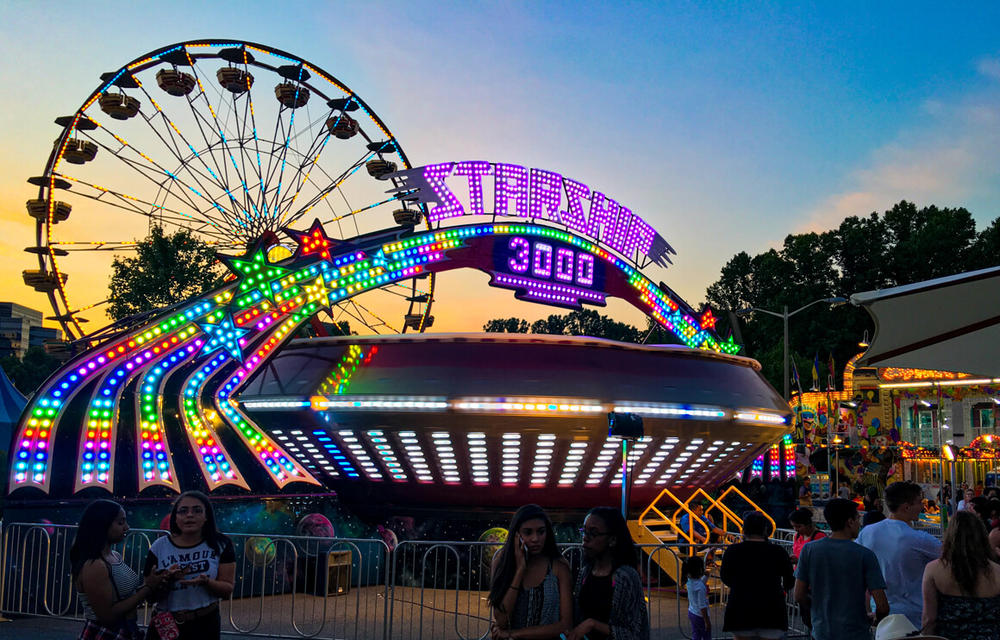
<point x="833" y="575"/>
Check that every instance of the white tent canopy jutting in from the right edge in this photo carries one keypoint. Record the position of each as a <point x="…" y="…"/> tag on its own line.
<point x="946" y="324"/>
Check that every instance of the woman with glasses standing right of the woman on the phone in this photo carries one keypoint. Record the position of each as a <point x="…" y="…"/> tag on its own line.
<point x="608" y="597"/>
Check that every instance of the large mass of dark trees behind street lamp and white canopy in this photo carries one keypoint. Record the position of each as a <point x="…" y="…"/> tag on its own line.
<point x="904" y="244"/>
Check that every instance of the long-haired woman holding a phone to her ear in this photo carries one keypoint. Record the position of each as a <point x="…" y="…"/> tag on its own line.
<point x="530" y="587"/>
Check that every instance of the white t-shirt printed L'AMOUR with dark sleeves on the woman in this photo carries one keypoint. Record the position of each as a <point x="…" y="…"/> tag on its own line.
<point x="195" y="561"/>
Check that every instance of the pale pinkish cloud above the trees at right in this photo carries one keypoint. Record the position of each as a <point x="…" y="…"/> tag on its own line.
<point x="949" y="161"/>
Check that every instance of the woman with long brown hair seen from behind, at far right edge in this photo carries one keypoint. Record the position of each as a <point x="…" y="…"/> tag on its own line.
<point x="962" y="589"/>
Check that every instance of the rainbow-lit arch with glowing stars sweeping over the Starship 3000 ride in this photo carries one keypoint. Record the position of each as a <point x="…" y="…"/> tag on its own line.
<point x="217" y="341"/>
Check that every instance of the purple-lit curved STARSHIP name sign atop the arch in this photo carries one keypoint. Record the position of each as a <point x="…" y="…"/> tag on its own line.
<point x="533" y="194"/>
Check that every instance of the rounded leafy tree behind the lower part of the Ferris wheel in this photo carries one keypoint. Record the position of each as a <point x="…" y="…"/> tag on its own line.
<point x="167" y="269"/>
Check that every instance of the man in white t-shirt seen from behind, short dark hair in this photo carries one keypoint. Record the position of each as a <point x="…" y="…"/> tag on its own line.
<point x="902" y="551"/>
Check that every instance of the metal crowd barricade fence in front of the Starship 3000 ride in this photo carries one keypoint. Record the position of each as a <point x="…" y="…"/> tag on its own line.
<point x="358" y="589"/>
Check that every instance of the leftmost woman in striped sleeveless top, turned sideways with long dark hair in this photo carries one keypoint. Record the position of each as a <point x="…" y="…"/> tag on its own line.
<point x="110" y="592"/>
